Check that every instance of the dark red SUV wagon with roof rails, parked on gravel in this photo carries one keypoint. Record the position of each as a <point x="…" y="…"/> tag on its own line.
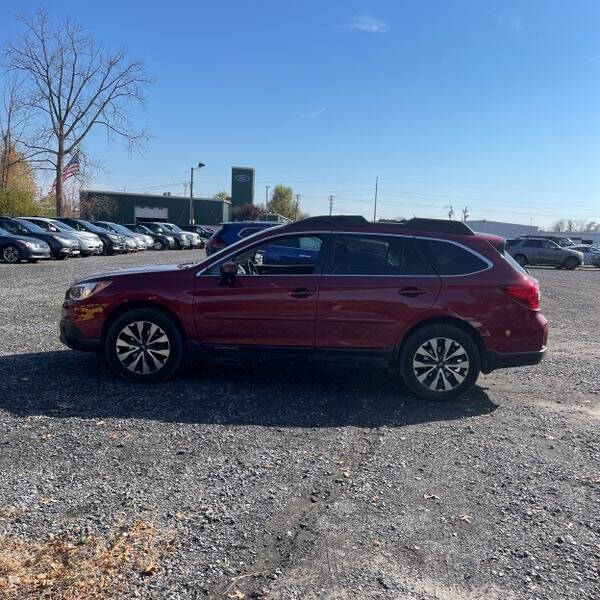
<point x="429" y="297"/>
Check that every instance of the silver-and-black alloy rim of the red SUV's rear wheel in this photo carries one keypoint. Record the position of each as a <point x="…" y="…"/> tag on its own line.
<point x="441" y="364"/>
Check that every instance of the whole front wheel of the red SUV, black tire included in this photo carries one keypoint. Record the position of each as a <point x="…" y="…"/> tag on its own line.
<point x="128" y="334"/>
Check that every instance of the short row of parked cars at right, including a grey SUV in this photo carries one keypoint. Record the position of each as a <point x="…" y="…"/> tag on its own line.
<point x="557" y="251"/>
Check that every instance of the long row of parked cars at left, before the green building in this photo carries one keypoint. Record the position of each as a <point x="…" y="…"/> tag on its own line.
<point x="35" y="238"/>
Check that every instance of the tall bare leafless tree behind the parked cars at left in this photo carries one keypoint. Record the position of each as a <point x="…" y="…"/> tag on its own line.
<point x="72" y="85"/>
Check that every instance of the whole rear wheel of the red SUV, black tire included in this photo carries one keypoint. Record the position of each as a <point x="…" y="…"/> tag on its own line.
<point x="427" y="382"/>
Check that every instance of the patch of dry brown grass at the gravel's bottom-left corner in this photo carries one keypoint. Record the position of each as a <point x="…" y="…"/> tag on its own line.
<point x="65" y="567"/>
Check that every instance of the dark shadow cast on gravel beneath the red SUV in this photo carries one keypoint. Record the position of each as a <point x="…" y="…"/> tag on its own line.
<point x="67" y="384"/>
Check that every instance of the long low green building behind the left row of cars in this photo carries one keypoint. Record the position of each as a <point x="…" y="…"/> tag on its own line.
<point x="125" y="207"/>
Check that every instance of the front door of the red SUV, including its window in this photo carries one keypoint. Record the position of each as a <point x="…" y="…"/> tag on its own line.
<point x="271" y="305"/>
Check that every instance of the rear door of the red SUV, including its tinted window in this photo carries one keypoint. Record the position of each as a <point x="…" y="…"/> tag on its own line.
<point x="373" y="287"/>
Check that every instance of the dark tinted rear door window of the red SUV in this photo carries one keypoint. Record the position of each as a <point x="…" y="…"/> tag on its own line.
<point x="377" y="255"/>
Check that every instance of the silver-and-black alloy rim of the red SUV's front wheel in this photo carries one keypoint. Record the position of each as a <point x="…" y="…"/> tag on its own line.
<point x="143" y="347"/>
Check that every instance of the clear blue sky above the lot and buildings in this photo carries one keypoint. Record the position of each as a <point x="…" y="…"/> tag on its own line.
<point x="490" y="105"/>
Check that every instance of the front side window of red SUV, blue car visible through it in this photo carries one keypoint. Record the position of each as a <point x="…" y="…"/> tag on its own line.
<point x="289" y="255"/>
